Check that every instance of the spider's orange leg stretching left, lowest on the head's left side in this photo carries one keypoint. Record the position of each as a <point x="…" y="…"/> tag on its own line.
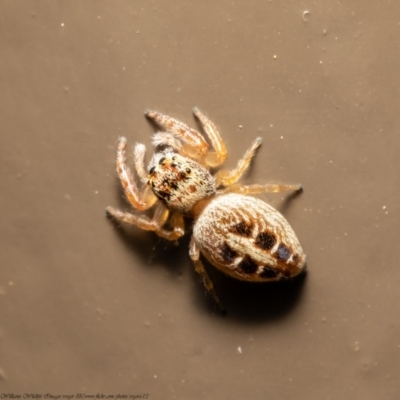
<point x="155" y="224"/>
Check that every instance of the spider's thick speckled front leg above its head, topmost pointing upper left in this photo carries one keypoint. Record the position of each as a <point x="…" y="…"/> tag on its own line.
<point x="196" y="146"/>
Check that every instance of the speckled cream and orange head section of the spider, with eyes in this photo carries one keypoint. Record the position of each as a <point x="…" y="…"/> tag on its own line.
<point x="179" y="182"/>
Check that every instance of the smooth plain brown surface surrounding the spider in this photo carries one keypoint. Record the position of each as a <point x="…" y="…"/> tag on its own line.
<point x="87" y="307"/>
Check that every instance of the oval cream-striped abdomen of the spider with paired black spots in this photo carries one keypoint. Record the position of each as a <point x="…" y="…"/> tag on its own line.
<point x="248" y="239"/>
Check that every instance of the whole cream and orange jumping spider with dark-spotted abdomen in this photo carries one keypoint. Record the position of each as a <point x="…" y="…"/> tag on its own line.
<point x="239" y="234"/>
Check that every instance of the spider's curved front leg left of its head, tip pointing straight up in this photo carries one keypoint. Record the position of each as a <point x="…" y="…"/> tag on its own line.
<point x="139" y="201"/>
